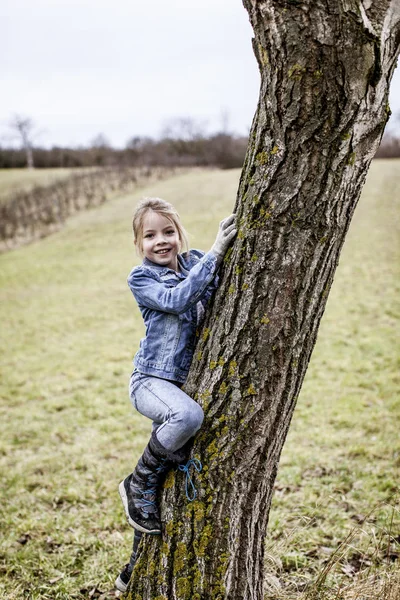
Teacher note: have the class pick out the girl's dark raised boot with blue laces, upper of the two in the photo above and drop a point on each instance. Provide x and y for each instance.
(139, 490)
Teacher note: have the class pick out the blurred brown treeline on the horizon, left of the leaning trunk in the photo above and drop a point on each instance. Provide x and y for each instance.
(221, 150)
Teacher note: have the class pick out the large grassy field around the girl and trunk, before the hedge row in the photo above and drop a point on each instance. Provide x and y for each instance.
(68, 433)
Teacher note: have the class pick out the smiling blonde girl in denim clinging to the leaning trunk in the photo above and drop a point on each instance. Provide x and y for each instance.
(172, 291)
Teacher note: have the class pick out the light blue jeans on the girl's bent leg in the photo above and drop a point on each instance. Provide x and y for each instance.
(176, 417)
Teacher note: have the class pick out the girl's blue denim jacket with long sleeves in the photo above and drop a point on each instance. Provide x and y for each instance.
(172, 304)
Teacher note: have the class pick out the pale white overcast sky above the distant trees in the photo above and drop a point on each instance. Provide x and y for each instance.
(127, 67)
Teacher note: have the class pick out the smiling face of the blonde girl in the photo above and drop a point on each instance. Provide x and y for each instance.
(161, 242)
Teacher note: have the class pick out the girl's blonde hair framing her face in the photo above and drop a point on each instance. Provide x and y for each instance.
(163, 208)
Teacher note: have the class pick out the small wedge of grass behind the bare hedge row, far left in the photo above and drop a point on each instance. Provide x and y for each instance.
(16, 180)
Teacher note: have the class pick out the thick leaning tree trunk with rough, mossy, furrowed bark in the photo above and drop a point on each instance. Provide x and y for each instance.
(325, 73)
